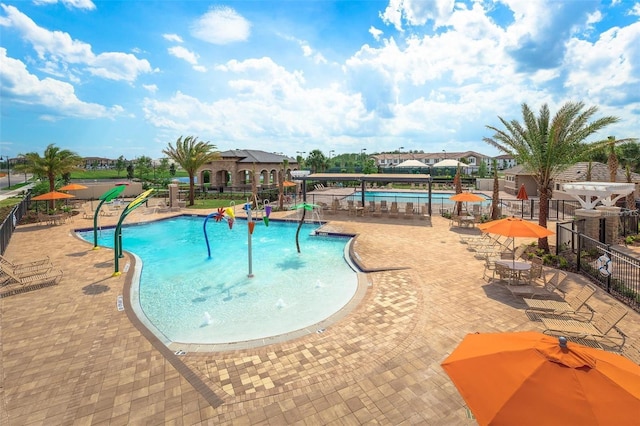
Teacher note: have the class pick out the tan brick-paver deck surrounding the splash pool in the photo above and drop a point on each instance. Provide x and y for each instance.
(70, 357)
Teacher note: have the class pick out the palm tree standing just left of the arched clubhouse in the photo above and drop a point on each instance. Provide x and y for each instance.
(191, 155)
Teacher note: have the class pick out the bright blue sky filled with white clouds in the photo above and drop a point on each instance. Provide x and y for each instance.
(111, 78)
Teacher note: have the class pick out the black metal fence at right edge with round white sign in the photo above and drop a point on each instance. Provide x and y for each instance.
(616, 272)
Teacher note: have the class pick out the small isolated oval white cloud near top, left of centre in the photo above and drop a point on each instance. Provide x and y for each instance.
(221, 25)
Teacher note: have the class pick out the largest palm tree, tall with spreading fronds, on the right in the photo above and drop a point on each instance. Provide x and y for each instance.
(545, 146)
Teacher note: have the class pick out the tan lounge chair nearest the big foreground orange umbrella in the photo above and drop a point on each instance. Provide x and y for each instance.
(596, 333)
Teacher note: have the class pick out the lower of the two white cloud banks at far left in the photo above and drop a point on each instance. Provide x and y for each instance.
(18, 85)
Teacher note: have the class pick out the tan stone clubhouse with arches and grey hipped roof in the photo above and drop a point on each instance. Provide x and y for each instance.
(236, 168)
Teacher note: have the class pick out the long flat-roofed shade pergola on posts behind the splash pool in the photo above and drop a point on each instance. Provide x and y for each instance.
(364, 178)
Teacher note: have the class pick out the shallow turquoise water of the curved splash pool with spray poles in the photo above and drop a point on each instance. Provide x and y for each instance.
(190, 298)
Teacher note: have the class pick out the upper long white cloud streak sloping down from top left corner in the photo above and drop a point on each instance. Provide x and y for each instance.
(58, 50)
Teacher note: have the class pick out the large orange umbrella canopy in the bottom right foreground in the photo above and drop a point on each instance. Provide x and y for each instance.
(529, 378)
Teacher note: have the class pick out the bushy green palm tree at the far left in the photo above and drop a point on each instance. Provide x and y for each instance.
(54, 162)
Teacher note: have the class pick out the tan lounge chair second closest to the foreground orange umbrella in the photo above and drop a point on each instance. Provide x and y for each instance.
(573, 304)
